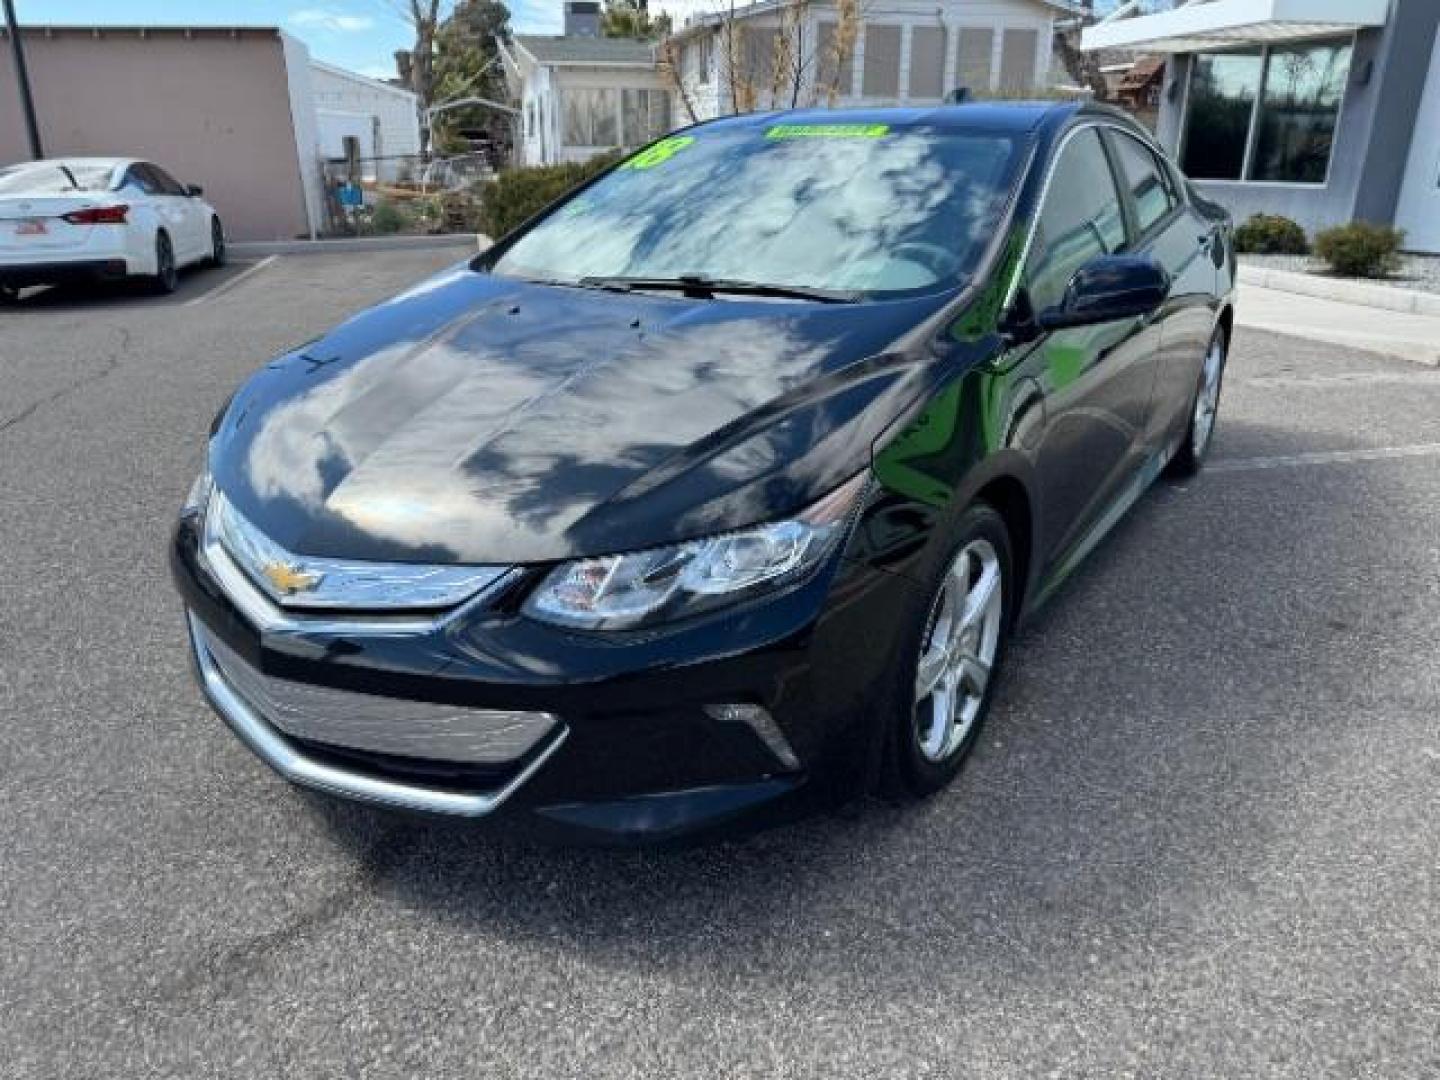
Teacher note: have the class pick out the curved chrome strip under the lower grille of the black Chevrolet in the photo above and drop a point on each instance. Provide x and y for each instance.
(284, 758)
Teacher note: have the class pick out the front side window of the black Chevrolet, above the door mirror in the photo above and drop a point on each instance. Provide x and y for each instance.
(1079, 221)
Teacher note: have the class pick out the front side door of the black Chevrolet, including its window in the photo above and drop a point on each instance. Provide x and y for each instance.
(1097, 381)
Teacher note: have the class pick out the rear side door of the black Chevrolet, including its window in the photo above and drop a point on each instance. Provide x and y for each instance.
(1187, 247)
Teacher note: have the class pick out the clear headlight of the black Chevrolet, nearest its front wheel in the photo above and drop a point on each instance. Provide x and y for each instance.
(623, 591)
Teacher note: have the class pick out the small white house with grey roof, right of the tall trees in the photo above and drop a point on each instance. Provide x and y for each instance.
(582, 94)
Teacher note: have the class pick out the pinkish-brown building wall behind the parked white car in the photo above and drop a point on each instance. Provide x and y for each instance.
(214, 110)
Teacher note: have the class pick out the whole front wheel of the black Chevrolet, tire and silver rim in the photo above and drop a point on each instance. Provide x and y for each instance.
(951, 659)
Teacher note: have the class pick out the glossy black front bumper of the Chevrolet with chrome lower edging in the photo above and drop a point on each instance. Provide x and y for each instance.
(649, 742)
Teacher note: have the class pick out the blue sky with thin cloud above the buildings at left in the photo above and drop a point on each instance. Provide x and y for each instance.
(361, 35)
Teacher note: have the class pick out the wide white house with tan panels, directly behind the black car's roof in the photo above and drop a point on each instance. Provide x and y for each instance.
(905, 53)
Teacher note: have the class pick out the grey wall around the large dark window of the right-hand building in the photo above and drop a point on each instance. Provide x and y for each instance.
(1373, 139)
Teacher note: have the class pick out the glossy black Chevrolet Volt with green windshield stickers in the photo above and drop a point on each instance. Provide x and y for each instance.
(715, 490)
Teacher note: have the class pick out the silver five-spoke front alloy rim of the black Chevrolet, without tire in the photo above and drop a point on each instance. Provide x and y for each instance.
(961, 643)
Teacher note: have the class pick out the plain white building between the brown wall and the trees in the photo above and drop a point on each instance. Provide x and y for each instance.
(384, 120)
